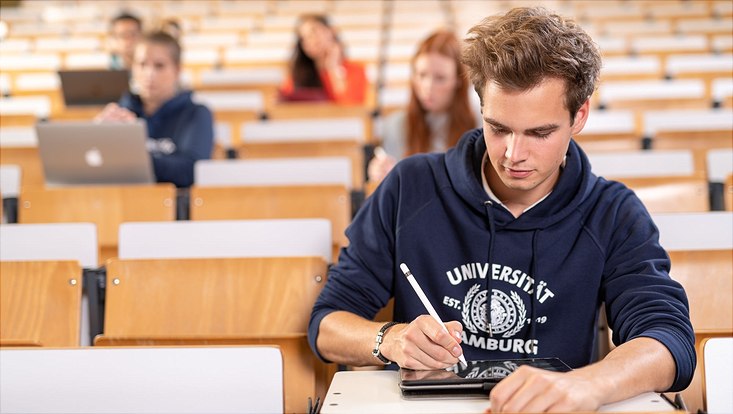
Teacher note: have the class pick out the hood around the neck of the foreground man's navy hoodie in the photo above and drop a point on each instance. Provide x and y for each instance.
(463, 164)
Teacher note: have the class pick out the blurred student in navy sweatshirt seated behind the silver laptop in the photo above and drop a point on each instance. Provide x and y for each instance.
(181, 131)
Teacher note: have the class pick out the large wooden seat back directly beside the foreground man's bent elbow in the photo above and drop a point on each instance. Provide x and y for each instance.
(220, 301)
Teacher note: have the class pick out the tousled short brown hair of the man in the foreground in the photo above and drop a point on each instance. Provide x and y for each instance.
(520, 49)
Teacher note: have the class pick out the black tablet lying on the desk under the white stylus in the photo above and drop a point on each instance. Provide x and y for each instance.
(478, 378)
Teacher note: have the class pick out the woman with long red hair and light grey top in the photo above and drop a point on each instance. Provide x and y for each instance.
(438, 112)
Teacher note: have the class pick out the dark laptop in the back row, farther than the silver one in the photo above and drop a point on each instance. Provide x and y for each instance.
(93, 87)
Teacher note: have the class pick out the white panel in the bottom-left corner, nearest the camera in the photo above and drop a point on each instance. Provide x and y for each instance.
(212, 379)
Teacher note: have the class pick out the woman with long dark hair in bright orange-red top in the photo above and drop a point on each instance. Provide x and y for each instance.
(319, 70)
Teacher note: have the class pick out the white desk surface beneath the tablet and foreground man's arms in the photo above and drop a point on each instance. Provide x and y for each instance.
(378, 392)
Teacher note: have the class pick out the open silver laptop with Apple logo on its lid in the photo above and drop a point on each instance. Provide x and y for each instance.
(83, 153)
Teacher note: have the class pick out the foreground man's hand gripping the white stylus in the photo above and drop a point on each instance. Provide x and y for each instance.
(423, 344)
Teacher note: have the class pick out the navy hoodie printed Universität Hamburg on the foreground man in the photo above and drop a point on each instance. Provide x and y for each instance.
(590, 241)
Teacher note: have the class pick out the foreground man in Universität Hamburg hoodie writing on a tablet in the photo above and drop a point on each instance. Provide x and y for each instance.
(515, 242)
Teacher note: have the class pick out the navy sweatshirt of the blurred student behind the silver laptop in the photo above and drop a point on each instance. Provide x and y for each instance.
(181, 133)
